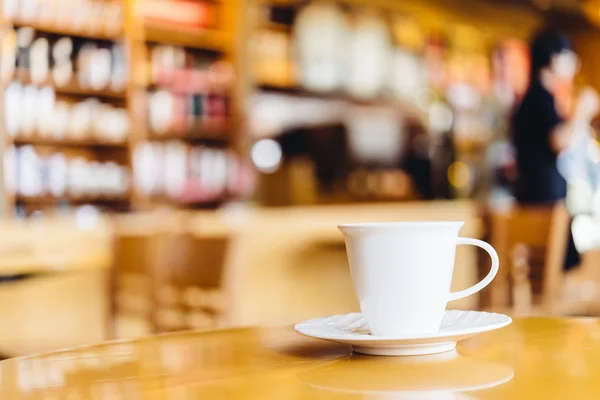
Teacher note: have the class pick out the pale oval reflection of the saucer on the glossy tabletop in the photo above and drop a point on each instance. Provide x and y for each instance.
(438, 376)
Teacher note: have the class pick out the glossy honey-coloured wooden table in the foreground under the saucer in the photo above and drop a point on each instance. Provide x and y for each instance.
(532, 358)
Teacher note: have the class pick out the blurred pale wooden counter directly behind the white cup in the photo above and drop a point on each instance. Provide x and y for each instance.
(294, 264)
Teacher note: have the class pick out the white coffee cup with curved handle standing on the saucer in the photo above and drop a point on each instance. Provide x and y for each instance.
(402, 273)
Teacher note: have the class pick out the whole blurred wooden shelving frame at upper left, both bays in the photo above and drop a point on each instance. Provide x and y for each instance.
(137, 35)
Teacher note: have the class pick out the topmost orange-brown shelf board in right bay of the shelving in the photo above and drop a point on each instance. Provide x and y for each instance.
(197, 38)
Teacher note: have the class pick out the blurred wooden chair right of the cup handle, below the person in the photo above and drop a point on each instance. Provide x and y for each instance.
(532, 243)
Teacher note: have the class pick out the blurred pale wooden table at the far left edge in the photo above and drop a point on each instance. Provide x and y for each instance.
(54, 283)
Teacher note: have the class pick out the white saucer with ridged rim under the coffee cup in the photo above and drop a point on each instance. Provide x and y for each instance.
(352, 329)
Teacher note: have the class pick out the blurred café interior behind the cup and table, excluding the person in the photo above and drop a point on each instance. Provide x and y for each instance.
(176, 164)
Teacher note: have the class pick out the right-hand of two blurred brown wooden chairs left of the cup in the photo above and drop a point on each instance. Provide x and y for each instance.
(194, 281)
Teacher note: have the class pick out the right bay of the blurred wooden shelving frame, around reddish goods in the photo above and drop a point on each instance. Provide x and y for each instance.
(220, 41)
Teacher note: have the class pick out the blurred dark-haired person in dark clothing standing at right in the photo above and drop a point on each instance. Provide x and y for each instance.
(540, 132)
